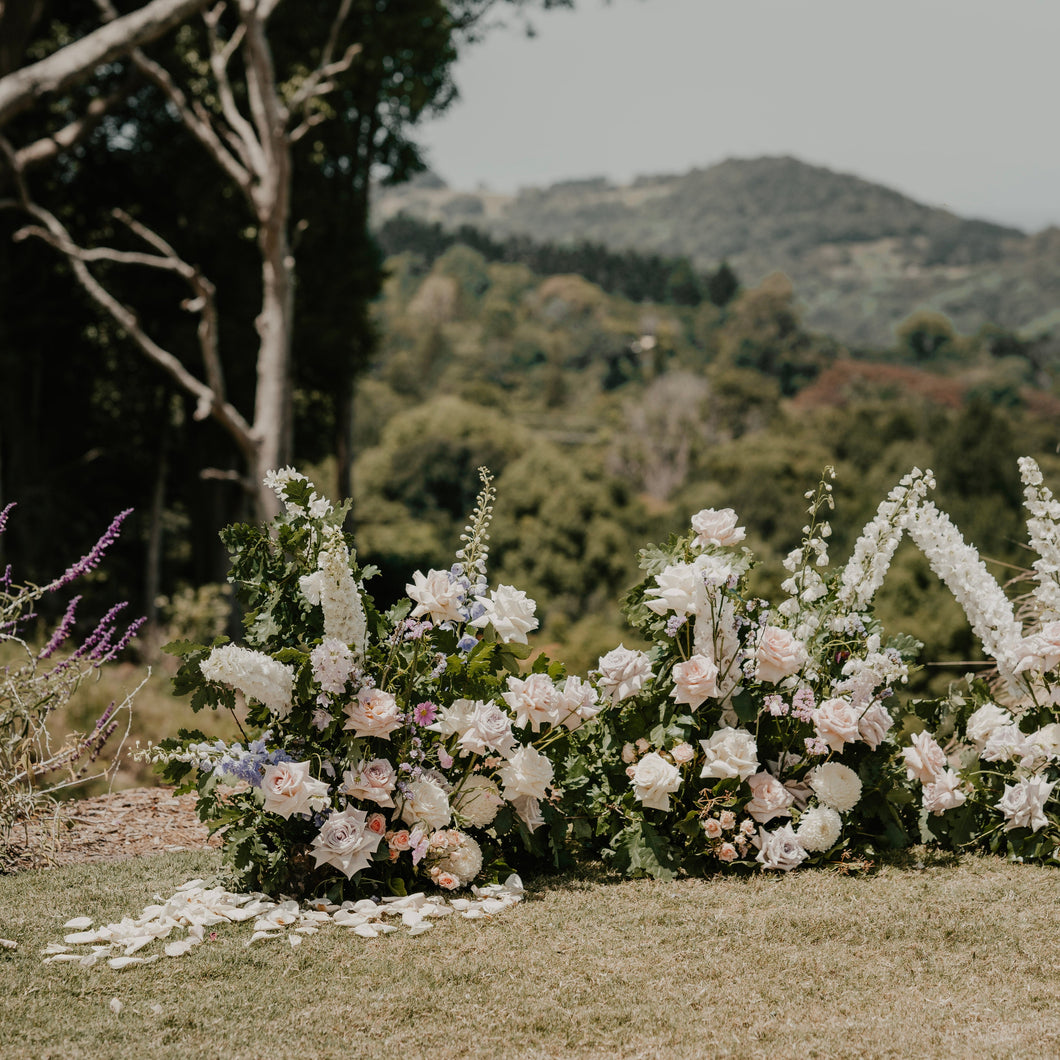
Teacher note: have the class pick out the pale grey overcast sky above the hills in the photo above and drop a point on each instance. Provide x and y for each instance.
(952, 102)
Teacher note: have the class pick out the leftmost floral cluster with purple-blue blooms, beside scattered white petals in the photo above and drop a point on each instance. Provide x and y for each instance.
(383, 752)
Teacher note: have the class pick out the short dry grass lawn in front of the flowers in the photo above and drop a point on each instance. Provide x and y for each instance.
(950, 960)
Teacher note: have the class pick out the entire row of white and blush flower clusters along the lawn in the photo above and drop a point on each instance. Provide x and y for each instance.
(427, 747)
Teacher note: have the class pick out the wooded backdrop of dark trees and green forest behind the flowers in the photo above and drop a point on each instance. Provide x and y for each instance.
(255, 316)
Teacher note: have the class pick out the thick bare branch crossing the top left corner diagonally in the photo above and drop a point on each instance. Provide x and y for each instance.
(22, 89)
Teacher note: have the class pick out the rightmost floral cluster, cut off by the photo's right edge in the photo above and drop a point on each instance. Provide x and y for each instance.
(988, 759)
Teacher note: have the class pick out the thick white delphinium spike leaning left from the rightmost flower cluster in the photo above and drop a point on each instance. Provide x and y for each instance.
(983, 600)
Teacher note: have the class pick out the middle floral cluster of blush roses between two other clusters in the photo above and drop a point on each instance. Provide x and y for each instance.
(753, 735)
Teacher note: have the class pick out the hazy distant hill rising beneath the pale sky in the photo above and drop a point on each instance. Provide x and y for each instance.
(861, 257)
